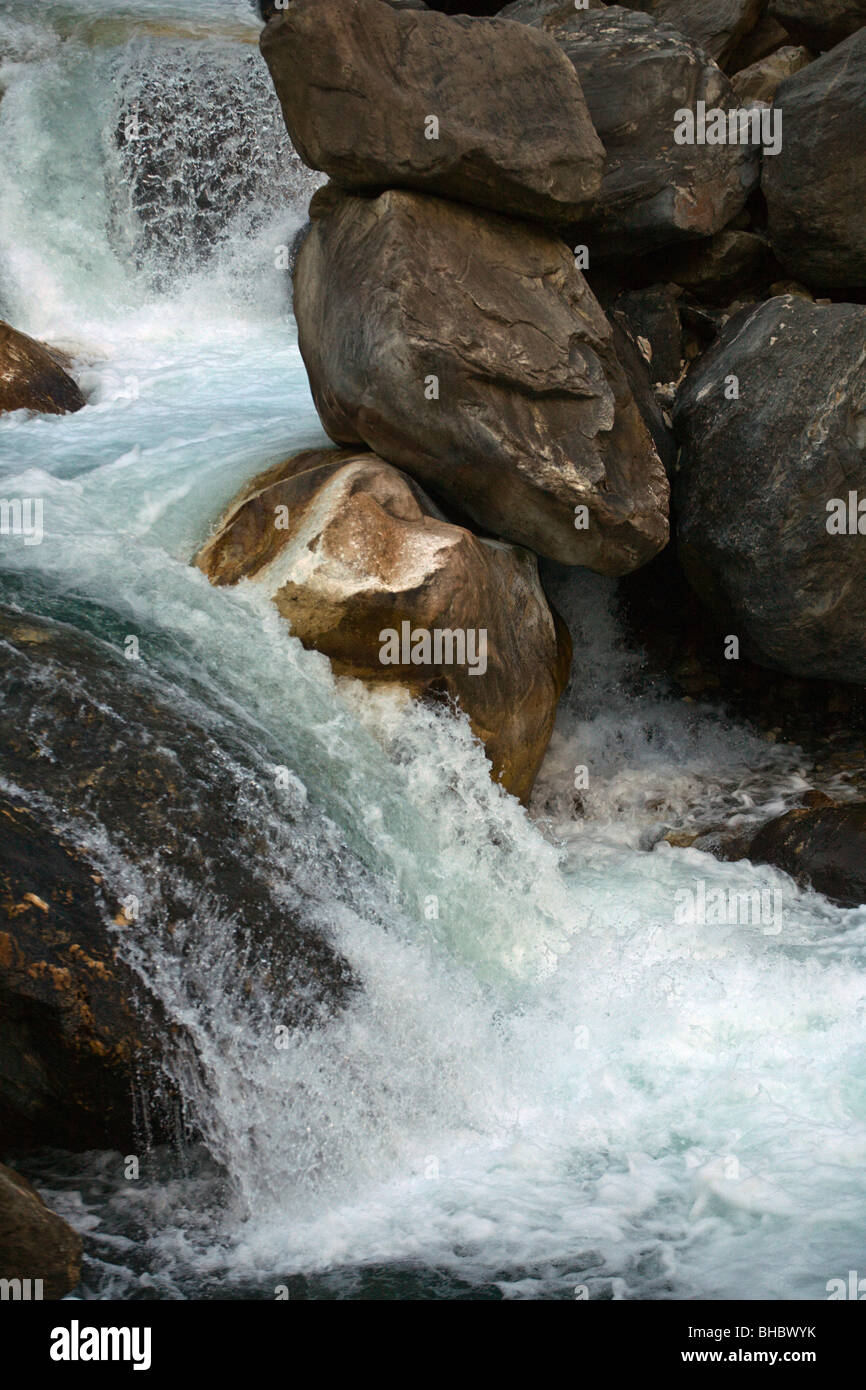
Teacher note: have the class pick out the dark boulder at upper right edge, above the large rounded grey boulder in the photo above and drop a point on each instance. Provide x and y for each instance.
(817, 187)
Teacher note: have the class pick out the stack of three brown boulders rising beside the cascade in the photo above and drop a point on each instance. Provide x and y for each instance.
(447, 327)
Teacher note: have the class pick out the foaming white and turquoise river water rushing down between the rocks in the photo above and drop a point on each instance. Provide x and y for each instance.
(548, 1088)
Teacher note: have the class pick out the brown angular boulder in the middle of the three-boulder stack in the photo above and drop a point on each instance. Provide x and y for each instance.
(477, 359)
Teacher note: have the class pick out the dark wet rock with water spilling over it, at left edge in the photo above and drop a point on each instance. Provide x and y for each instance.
(138, 789)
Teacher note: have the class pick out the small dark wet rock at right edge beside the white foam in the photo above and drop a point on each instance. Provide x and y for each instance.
(822, 847)
